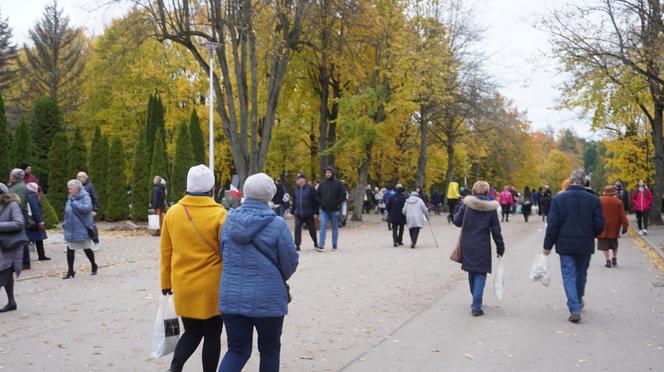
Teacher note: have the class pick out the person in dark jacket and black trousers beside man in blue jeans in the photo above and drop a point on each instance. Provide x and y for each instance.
(304, 208)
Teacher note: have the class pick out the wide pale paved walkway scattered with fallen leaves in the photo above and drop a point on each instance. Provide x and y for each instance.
(368, 307)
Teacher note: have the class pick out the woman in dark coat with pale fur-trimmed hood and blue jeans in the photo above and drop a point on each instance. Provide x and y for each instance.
(478, 219)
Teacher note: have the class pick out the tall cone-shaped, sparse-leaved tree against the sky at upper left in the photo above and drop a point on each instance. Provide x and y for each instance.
(53, 66)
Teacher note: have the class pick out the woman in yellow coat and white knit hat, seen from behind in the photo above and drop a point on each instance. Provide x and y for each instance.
(191, 268)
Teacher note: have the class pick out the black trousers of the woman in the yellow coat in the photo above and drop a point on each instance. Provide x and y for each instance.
(194, 331)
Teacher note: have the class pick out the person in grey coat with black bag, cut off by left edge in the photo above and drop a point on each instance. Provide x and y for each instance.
(11, 262)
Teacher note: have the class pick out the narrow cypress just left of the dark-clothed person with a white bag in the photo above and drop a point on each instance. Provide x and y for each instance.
(140, 180)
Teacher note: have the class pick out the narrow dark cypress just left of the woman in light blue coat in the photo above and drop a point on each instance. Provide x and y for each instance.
(58, 175)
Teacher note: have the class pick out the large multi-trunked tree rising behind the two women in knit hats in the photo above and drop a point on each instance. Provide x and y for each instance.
(247, 114)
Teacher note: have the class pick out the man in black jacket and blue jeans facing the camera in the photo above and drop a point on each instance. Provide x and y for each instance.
(331, 193)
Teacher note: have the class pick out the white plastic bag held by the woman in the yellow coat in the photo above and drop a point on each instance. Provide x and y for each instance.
(166, 328)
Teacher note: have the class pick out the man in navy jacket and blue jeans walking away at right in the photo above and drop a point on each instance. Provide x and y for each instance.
(575, 219)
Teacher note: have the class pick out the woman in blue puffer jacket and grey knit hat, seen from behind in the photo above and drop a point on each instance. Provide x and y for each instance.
(259, 255)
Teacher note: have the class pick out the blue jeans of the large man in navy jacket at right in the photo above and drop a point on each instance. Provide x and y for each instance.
(574, 270)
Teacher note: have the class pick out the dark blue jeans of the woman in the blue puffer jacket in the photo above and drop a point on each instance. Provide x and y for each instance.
(239, 332)
